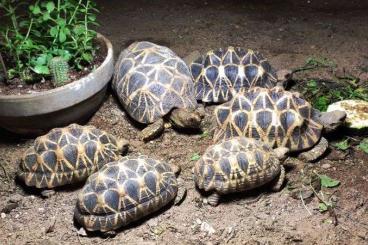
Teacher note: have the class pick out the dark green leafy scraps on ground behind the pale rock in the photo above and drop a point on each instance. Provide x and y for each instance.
(320, 93)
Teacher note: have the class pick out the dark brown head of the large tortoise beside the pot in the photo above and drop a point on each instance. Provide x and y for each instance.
(184, 118)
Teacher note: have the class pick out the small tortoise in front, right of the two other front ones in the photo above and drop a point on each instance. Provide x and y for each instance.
(238, 164)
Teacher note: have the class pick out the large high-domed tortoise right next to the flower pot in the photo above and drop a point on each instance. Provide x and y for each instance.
(153, 83)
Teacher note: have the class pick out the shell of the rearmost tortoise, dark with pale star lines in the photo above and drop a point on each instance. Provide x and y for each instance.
(221, 73)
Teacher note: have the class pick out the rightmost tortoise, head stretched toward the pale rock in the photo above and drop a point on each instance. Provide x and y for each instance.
(279, 118)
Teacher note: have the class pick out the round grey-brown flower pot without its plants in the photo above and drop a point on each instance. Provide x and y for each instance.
(74, 102)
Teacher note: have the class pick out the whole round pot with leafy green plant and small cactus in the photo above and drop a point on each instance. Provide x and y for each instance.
(54, 69)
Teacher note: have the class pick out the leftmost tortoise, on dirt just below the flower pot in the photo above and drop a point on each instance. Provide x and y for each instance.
(68, 155)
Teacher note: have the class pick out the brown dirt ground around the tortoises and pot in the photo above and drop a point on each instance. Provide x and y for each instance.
(287, 33)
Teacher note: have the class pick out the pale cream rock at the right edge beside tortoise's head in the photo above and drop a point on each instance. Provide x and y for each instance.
(356, 112)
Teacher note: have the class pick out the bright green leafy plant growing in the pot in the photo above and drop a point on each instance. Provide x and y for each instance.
(50, 29)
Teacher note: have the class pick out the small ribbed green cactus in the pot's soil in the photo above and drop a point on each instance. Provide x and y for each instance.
(59, 69)
